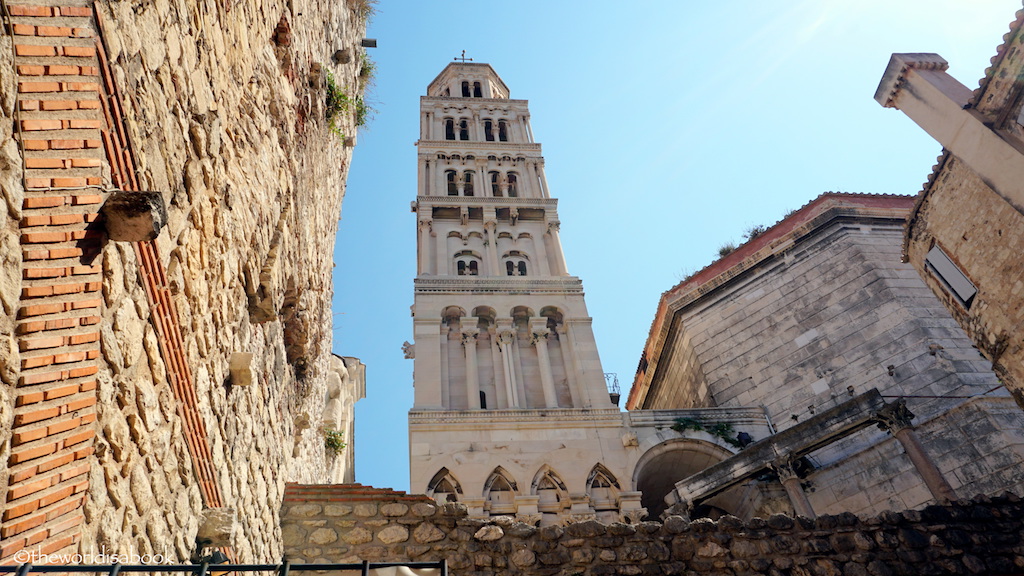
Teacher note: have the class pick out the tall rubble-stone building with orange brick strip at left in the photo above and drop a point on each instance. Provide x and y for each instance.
(166, 356)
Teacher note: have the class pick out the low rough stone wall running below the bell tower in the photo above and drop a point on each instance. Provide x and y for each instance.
(352, 524)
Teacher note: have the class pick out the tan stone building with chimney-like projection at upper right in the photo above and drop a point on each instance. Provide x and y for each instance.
(966, 233)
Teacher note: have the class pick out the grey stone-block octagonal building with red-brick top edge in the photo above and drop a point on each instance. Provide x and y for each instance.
(819, 323)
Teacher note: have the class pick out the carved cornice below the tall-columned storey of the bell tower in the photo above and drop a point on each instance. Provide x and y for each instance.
(425, 418)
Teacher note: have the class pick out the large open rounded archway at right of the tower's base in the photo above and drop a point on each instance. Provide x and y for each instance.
(663, 466)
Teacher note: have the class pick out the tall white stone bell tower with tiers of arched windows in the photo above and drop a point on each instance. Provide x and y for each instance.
(513, 416)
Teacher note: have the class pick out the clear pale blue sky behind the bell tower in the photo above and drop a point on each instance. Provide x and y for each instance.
(668, 128)
